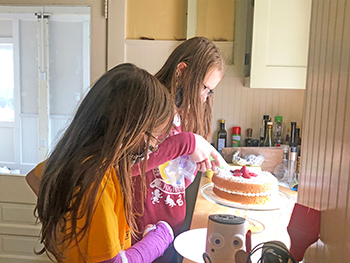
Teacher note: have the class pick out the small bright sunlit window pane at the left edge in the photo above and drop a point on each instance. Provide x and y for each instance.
(6, 83)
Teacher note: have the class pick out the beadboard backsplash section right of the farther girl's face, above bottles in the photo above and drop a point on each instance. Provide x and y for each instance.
(245, 107)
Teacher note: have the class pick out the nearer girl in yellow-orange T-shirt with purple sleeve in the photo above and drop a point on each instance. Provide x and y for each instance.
(85, 196)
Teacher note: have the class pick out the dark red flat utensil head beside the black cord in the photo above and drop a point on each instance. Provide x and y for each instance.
(303, 229)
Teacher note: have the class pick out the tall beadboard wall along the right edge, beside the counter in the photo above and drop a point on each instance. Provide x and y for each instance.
(325, 169)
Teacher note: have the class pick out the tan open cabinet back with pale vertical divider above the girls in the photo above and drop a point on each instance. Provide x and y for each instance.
(179, 19)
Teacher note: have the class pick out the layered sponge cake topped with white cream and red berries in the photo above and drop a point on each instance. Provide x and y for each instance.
(245, 186)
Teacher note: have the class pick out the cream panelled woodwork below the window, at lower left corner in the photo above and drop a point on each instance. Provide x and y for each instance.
(18, 231)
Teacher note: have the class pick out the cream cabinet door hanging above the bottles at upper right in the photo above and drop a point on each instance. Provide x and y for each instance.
(280, 44)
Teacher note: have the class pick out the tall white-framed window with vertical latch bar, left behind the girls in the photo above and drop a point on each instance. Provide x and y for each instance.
(44, 74)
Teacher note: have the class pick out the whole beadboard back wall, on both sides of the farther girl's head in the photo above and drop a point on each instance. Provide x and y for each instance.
(238, 105)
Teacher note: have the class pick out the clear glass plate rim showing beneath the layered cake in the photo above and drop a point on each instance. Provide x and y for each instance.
(276, 201)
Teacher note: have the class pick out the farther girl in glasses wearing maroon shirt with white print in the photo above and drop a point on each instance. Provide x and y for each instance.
(190, 74)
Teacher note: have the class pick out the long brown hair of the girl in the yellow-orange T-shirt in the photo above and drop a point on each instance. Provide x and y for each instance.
(122, 106)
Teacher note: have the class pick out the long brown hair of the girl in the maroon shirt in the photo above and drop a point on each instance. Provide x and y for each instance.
(201, 57)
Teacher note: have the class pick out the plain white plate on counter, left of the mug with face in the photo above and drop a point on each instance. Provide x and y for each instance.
(191, 244)
